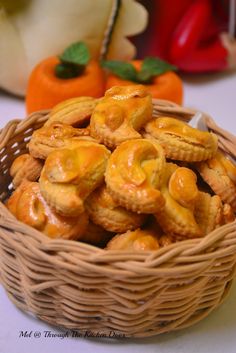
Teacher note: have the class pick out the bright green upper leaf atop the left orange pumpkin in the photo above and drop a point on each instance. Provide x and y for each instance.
(76, 53)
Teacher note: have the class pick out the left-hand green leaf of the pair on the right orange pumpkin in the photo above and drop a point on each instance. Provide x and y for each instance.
(124, 70)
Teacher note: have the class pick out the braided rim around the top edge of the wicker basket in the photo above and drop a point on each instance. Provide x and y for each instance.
(8, 221)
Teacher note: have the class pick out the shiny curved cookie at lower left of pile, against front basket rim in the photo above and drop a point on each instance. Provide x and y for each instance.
(28, 206)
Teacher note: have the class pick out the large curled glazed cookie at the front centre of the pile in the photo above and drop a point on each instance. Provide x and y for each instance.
(134, 175)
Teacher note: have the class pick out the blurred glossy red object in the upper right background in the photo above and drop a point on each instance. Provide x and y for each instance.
(187, 33)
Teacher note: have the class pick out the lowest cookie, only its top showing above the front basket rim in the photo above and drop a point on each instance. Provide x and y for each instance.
(134, 241)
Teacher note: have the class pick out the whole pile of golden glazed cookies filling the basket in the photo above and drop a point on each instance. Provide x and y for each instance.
(107, 173)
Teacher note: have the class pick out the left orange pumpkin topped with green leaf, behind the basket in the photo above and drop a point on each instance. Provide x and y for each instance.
(70, 75)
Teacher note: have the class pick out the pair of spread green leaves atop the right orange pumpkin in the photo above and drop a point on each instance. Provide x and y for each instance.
(150, 68)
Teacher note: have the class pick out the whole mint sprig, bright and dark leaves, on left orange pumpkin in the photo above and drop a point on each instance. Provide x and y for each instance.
(73, 61)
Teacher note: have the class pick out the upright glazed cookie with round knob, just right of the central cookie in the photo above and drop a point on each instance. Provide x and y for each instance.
(180, 192)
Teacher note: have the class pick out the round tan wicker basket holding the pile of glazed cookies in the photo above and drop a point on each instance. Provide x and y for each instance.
(78, 286)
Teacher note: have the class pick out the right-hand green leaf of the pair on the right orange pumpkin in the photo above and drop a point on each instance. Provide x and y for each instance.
(151, 67)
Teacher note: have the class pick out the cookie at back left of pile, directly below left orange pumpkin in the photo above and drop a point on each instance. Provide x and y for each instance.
(75, 111)
